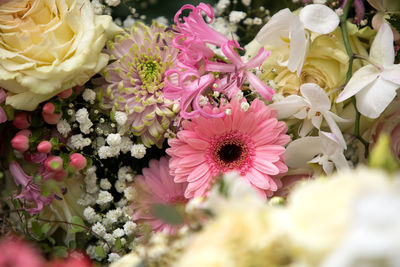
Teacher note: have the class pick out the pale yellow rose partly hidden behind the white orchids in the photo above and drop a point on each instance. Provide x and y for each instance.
(326, 62)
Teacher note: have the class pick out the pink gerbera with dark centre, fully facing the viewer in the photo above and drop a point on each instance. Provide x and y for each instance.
(250, 142)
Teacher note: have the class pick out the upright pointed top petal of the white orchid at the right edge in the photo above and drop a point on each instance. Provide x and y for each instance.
(382, 49)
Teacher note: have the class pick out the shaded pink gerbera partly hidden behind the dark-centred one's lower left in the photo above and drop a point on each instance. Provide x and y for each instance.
(154, 188)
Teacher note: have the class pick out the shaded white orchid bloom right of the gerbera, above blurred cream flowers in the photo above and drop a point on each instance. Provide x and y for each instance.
(325, 149)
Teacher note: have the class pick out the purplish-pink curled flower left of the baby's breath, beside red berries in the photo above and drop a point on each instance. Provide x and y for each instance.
(30, 191)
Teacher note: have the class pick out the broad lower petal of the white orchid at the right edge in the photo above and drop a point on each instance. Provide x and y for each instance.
(373, 100)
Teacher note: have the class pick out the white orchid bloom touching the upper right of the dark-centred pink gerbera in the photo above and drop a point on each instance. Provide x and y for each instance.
(313, 106)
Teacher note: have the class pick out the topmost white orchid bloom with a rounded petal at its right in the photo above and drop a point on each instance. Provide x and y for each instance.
(285, 28)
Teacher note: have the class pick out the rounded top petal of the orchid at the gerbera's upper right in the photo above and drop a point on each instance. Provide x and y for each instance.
(316, 96)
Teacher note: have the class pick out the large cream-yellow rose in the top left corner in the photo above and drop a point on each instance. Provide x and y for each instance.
(47, 46)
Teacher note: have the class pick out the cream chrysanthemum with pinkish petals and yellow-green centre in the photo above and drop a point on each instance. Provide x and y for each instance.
(133, 83)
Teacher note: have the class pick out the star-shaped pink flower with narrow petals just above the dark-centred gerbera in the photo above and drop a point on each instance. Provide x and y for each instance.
(240, 70)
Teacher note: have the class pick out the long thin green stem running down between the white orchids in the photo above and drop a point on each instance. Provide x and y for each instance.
(343, 26)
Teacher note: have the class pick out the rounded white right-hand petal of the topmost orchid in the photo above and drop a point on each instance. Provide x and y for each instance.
(319, 18)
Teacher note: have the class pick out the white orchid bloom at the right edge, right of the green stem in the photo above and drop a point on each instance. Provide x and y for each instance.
(375, 84)
